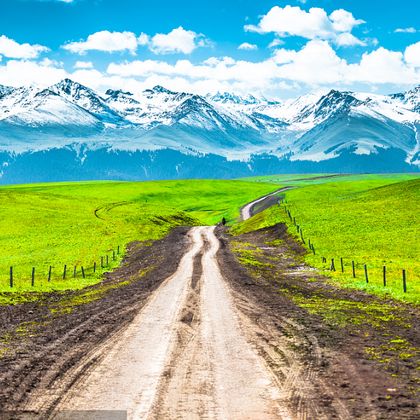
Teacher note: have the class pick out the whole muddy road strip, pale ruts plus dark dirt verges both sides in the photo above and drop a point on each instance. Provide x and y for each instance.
(203, 325)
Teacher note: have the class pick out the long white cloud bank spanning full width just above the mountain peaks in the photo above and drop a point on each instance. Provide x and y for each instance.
(314, 66)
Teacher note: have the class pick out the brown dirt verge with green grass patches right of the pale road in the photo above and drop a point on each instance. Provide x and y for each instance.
(331, 349)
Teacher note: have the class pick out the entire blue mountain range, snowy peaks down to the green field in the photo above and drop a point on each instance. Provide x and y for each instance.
(69, 131)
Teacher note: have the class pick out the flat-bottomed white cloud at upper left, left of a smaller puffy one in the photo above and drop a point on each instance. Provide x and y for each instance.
(105, 41)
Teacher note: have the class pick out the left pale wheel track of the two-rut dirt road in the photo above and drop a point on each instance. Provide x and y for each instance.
(128, 376)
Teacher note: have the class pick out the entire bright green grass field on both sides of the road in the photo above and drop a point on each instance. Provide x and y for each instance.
(370, 219)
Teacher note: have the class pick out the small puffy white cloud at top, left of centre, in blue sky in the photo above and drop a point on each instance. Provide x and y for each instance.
(178, 40)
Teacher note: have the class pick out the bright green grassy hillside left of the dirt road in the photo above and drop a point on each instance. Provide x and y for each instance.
(76, 223)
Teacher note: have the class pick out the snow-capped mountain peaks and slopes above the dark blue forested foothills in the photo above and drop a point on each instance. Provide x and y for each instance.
(312, 128)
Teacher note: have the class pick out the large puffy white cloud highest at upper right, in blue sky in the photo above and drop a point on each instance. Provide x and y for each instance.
(314, 24)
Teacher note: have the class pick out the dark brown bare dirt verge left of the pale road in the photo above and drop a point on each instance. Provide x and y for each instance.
(43, 341)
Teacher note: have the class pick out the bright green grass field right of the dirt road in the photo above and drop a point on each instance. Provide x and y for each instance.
(371, 219)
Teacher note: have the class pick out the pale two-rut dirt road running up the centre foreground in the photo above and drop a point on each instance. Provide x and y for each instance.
(184, 355)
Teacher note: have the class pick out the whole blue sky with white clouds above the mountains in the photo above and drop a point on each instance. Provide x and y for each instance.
(276, 48)
